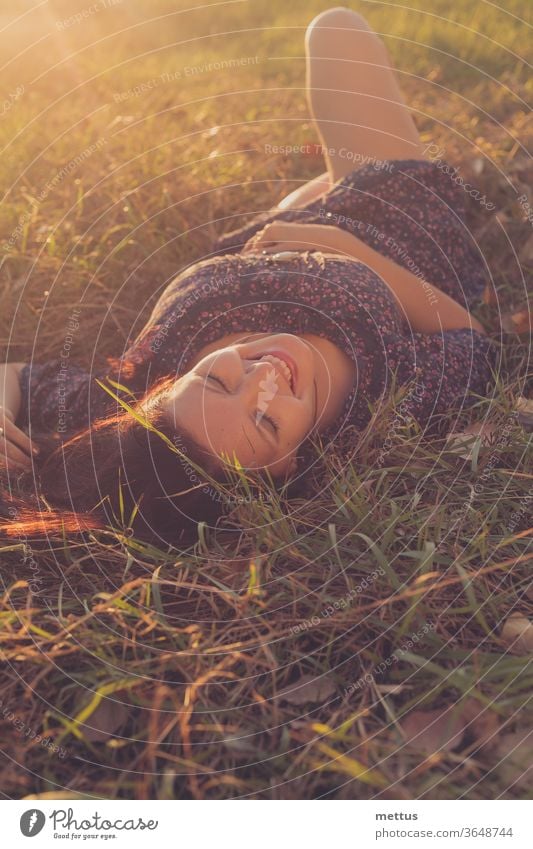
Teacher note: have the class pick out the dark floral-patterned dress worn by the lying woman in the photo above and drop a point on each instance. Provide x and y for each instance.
(410, 211)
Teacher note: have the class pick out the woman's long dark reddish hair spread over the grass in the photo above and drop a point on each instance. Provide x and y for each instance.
(119, 472)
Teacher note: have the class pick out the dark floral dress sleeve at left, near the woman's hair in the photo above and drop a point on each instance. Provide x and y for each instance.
(55, 397)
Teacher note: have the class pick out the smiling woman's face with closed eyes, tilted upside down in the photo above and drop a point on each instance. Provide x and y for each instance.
(256, 400)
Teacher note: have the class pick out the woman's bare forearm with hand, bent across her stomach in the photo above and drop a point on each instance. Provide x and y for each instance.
(426, 308)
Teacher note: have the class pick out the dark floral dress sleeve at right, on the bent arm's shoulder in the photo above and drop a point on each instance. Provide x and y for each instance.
(444, 372)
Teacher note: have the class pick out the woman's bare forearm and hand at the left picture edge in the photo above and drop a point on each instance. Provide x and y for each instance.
(15, 446)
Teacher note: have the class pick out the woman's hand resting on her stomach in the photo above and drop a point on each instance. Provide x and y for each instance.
(285, 236)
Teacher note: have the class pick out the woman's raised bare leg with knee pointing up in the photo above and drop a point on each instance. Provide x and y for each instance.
(354, 95)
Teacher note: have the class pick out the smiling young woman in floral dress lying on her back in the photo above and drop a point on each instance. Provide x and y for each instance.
(299, 324)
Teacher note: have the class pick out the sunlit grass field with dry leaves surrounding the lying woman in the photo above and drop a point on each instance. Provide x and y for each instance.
(352, 647)
